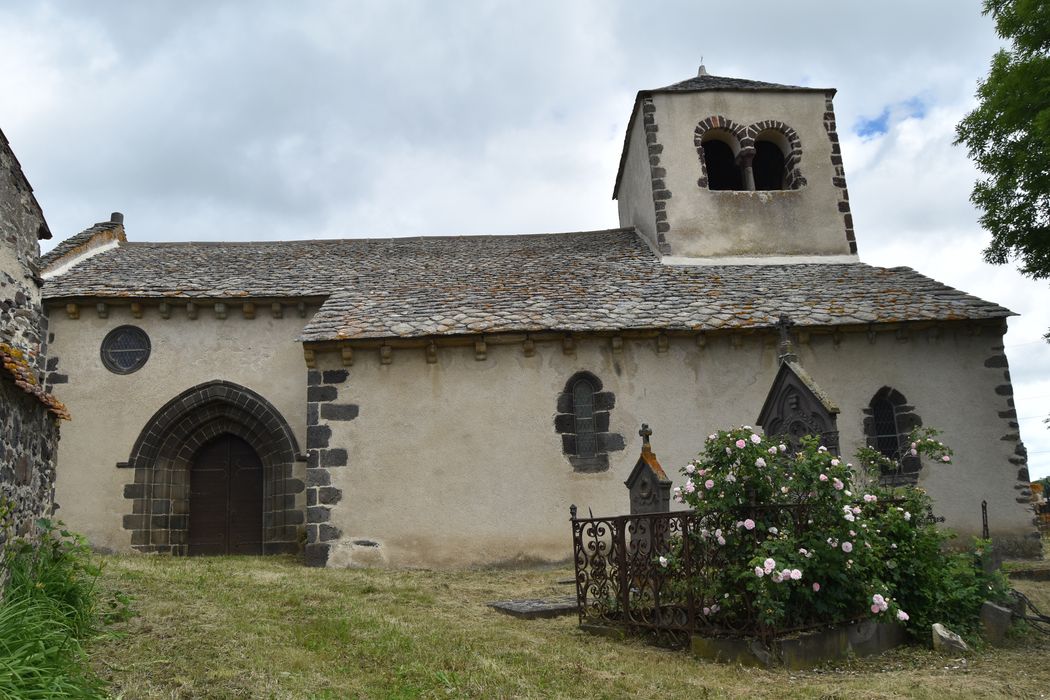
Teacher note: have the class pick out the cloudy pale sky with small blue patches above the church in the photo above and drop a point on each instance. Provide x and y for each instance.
(212, 120)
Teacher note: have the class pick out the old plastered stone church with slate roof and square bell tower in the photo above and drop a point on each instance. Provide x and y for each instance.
(442, 401)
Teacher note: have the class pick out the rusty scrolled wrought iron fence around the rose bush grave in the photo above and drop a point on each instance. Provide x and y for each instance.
(622, 584)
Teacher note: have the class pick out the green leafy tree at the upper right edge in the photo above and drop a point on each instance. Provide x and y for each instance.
(1009, 137)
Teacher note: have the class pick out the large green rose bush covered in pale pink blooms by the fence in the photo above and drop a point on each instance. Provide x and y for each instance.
(808, 540)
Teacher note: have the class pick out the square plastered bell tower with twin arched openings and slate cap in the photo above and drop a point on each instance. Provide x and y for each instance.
(728, 172)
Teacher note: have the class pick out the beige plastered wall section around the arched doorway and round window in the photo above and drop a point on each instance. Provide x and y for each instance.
(110, 411)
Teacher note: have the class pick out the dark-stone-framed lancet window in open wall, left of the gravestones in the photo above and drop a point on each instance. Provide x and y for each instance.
(583, 422)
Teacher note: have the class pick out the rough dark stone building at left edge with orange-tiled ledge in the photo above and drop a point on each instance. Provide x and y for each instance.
(29, 415)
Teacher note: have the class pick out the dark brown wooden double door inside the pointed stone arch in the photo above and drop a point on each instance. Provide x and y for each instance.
(226, 499)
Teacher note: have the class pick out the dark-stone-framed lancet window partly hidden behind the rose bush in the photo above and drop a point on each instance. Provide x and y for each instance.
(889, 421)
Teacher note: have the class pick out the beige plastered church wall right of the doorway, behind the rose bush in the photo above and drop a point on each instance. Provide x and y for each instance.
(458, 462)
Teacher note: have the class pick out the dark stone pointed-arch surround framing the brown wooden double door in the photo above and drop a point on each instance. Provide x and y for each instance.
(163, 455)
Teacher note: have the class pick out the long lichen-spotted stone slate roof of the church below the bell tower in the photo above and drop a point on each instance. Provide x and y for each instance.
(596, 281)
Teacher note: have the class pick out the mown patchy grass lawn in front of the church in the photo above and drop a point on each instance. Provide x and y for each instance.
(269, 628)
